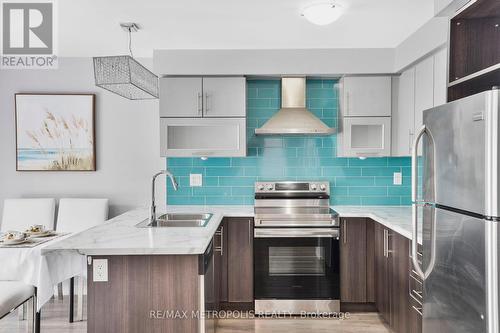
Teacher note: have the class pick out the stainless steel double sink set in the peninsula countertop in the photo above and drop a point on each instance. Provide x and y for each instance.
(177, 220)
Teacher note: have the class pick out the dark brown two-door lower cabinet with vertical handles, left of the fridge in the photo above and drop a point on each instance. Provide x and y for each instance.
(392, 280)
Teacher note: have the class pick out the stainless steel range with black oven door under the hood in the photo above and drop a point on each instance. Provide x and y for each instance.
(296, 248)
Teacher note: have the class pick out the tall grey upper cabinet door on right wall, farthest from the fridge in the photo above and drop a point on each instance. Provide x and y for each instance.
(403, 116)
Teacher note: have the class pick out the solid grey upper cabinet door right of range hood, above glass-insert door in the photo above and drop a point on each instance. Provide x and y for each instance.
(366, 96)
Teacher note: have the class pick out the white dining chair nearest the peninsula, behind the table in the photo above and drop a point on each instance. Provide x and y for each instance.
(76, 215)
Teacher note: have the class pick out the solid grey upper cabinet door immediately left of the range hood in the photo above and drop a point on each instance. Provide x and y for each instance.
(224, 97)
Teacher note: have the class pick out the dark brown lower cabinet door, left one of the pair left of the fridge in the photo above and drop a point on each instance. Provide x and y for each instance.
(382, 283)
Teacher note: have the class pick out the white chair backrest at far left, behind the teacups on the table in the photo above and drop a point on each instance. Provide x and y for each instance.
(19, 214)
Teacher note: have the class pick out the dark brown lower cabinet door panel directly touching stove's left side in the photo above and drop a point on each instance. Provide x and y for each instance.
(240, 260)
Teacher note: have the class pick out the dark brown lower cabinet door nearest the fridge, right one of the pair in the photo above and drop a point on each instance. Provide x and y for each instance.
(400, 264)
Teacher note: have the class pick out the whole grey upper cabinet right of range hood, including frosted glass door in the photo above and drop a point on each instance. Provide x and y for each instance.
(365, 110)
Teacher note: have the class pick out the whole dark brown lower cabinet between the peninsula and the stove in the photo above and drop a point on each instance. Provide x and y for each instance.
(236, 252)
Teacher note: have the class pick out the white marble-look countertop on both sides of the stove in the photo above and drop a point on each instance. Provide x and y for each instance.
(120, 236)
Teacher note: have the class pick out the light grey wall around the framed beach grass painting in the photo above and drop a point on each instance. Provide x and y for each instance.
(127, 138)
